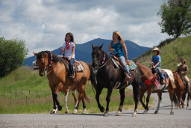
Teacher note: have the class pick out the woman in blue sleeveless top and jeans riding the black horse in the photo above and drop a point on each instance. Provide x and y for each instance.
(119, 49)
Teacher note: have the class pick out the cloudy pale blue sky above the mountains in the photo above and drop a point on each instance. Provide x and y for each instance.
(43, 23)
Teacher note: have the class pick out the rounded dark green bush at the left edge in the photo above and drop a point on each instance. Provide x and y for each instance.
(12, 53)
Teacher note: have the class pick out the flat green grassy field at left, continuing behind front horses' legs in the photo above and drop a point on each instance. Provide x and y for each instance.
(24, 91)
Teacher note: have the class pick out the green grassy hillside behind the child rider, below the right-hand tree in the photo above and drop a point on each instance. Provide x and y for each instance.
(170, 53)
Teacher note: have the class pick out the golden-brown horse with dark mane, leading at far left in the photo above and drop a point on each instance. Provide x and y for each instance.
(57, 73)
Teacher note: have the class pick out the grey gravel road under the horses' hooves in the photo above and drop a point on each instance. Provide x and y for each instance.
(181, 119)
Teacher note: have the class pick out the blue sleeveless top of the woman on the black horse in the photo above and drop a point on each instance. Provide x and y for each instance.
(118, 49)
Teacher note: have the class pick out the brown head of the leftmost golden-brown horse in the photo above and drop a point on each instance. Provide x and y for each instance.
(42, 61)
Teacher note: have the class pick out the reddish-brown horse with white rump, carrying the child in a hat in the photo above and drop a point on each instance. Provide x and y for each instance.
(149, 81)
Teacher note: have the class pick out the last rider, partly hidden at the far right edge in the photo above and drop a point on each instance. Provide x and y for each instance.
(182, 70)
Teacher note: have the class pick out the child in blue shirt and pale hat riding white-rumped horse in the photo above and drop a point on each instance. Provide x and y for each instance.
(156, 61)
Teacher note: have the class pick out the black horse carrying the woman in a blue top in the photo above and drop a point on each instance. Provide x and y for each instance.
(106, 75)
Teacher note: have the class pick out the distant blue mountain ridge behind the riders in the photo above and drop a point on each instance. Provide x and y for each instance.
(83, 51)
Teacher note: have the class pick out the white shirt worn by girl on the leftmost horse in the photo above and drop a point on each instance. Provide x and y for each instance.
(68, 52)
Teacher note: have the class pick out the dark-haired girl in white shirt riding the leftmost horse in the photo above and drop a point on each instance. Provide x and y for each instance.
(68, 51)
